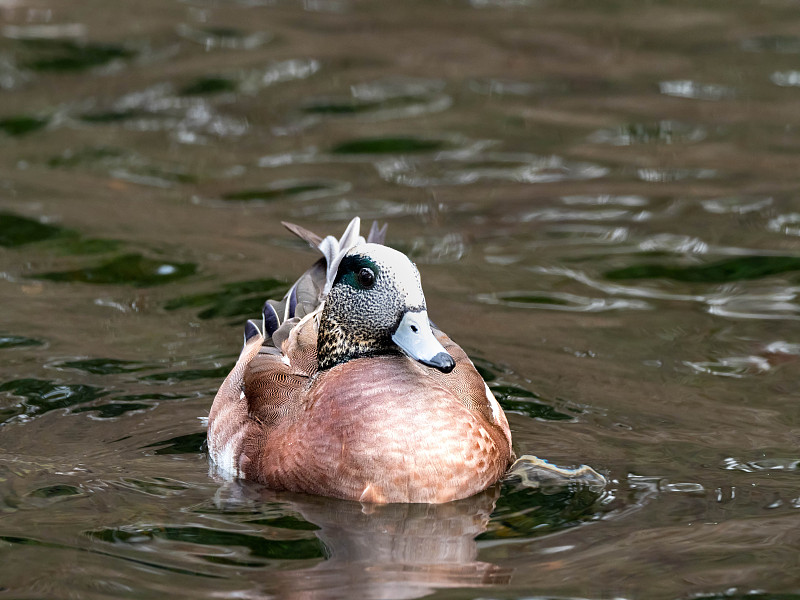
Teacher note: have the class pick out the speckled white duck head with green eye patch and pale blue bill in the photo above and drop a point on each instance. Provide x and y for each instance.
(376, 306)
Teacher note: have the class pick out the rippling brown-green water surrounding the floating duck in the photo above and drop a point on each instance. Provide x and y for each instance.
(601, 197)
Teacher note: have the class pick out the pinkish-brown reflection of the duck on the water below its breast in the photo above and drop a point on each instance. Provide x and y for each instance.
(396, 551)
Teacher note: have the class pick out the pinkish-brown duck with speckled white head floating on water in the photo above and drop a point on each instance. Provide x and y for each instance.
(345, 388)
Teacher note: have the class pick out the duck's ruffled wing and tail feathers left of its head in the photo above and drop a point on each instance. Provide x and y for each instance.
(279, 357)
